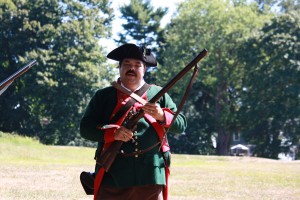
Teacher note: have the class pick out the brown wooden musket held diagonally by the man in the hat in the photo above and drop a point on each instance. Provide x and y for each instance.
(107, 158)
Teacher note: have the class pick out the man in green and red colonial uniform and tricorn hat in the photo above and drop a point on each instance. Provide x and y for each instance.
(141, 168)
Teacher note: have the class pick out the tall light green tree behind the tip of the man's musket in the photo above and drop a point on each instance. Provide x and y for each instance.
(219, 26)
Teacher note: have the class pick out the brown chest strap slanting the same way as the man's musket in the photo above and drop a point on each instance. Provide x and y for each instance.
(129, 104)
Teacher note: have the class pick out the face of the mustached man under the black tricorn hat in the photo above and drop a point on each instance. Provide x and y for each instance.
(132, 72)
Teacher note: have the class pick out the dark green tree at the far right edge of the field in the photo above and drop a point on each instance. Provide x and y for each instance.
(271, 87)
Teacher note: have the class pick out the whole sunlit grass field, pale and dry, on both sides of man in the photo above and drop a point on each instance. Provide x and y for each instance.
(32, 171)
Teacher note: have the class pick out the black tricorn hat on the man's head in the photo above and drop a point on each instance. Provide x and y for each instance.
(132, 51)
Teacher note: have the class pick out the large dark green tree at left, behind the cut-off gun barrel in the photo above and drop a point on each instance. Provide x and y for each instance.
(48, 101)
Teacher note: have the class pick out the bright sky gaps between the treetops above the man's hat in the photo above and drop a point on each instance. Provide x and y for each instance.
(117, 23)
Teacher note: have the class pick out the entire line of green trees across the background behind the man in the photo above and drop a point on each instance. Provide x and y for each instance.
(249, 83)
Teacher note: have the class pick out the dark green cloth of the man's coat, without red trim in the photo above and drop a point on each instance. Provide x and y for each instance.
(136, 170)
